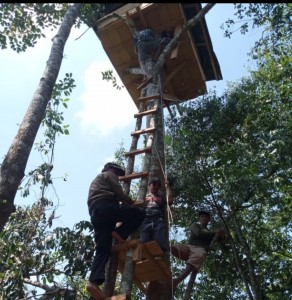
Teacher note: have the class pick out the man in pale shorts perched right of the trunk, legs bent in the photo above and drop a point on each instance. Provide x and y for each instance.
(195, 251)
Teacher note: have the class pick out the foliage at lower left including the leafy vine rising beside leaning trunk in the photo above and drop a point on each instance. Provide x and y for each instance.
(42, 257)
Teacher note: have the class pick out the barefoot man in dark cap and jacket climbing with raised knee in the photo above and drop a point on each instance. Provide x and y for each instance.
(109, 205)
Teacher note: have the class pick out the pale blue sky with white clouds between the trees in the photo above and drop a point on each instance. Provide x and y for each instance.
(100, 117)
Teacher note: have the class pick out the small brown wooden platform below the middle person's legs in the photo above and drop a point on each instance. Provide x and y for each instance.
(149, 265)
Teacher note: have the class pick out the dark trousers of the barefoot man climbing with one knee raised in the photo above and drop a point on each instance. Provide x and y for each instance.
(104, 218)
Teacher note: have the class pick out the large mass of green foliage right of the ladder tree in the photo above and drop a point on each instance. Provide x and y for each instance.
(232, 155)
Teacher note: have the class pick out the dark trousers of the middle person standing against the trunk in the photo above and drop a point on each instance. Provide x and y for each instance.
(154, 229)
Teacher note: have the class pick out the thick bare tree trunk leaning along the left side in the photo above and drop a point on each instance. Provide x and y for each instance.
(13, 167)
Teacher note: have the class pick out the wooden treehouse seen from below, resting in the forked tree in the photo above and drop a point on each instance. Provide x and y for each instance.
(188, 67)
